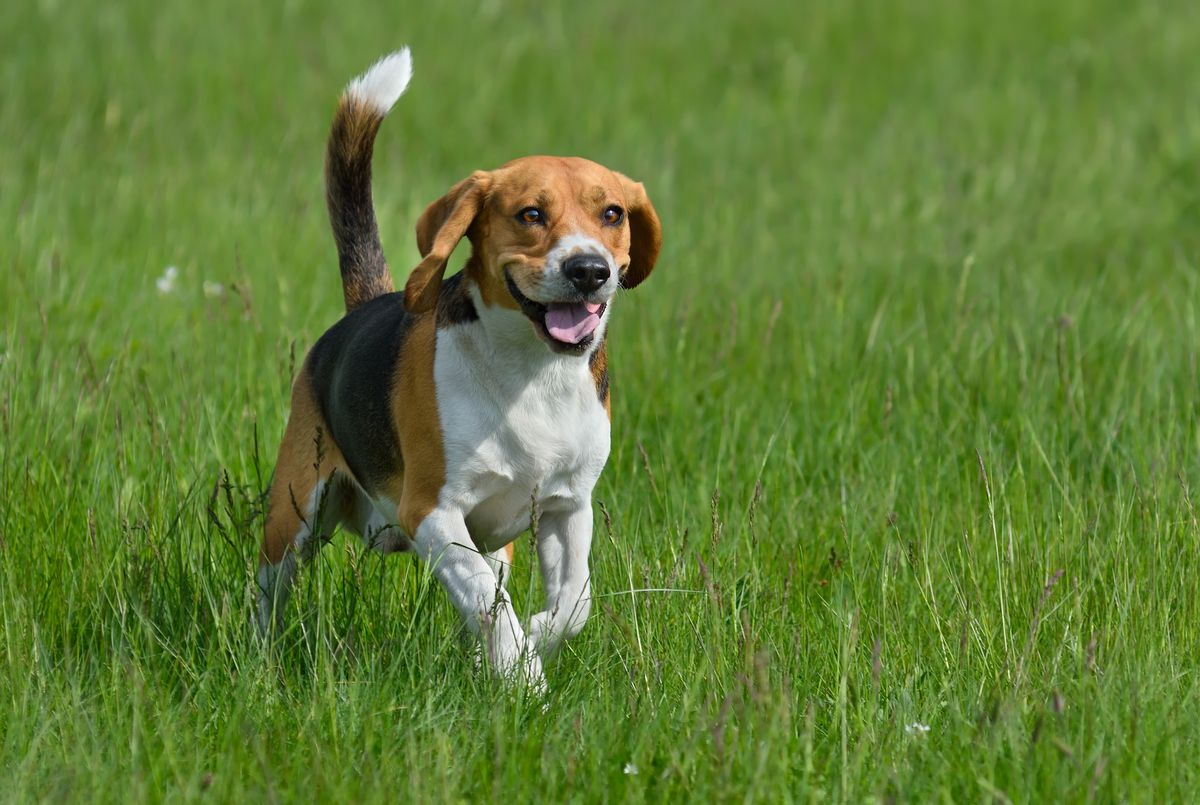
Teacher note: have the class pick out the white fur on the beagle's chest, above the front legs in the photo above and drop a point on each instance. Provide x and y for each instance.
(518, 423)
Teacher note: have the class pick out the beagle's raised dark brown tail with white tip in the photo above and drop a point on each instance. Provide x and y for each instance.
(361, 111)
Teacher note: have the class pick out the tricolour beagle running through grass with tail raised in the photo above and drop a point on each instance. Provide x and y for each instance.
(434, 419)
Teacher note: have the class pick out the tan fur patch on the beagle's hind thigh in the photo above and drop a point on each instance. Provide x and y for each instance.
(308, 455)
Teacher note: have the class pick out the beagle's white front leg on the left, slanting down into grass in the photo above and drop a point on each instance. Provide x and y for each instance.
(443, 542)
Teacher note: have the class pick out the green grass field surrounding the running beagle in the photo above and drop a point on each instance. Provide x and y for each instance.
(908, 420)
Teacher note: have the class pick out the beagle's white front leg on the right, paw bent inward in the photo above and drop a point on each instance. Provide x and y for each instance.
(565, 540)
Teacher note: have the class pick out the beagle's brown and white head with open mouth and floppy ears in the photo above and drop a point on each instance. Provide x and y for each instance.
(553, 238)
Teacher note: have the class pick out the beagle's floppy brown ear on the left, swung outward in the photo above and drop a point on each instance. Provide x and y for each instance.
(439, 231)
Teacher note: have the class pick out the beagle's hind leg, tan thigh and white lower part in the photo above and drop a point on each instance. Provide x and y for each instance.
(307, 501)
